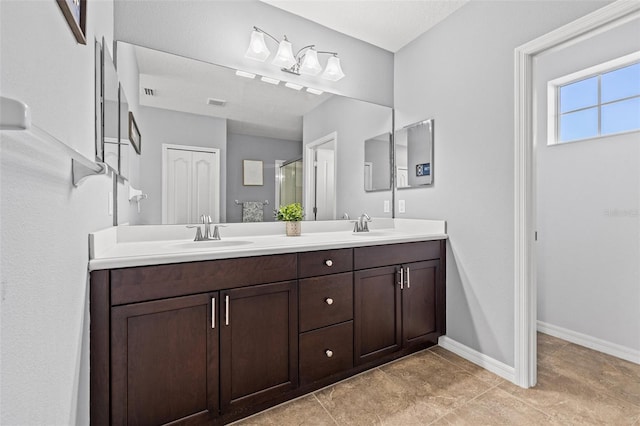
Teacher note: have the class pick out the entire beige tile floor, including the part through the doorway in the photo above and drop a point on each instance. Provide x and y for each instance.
(576, 386)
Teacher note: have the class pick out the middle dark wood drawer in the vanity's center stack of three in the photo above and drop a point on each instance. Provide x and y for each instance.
(325, 300)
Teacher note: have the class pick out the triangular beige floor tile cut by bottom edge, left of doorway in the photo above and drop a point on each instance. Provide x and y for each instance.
(496, 407)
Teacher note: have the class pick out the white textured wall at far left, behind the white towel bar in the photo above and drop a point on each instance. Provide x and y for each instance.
(44, 220)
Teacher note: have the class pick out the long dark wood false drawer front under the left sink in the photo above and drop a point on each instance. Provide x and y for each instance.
(143, 283)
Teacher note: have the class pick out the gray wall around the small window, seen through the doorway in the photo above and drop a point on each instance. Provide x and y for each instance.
(588, 212)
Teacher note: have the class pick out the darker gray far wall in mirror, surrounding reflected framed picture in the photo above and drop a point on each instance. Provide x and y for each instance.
(268, 150)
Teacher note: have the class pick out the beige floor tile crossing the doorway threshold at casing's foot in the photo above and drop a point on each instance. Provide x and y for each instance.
(573, 401)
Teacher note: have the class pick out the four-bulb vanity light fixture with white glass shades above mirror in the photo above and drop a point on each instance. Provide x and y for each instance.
(305, 61)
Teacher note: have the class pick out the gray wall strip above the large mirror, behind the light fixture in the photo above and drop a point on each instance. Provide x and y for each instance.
(219, 32)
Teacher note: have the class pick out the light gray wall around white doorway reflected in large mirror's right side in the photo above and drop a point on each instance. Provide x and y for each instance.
(354, 121)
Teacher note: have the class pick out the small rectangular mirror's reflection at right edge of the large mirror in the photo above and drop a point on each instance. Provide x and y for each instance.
(377, 163)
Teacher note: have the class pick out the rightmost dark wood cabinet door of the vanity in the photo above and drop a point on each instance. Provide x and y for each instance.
(419, 303)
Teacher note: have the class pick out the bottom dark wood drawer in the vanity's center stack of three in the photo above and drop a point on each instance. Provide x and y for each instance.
(325, 352)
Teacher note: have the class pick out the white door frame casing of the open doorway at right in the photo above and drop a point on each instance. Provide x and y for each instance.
(525, 292)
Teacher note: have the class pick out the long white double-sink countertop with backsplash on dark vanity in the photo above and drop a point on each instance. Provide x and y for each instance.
(129, 246)
